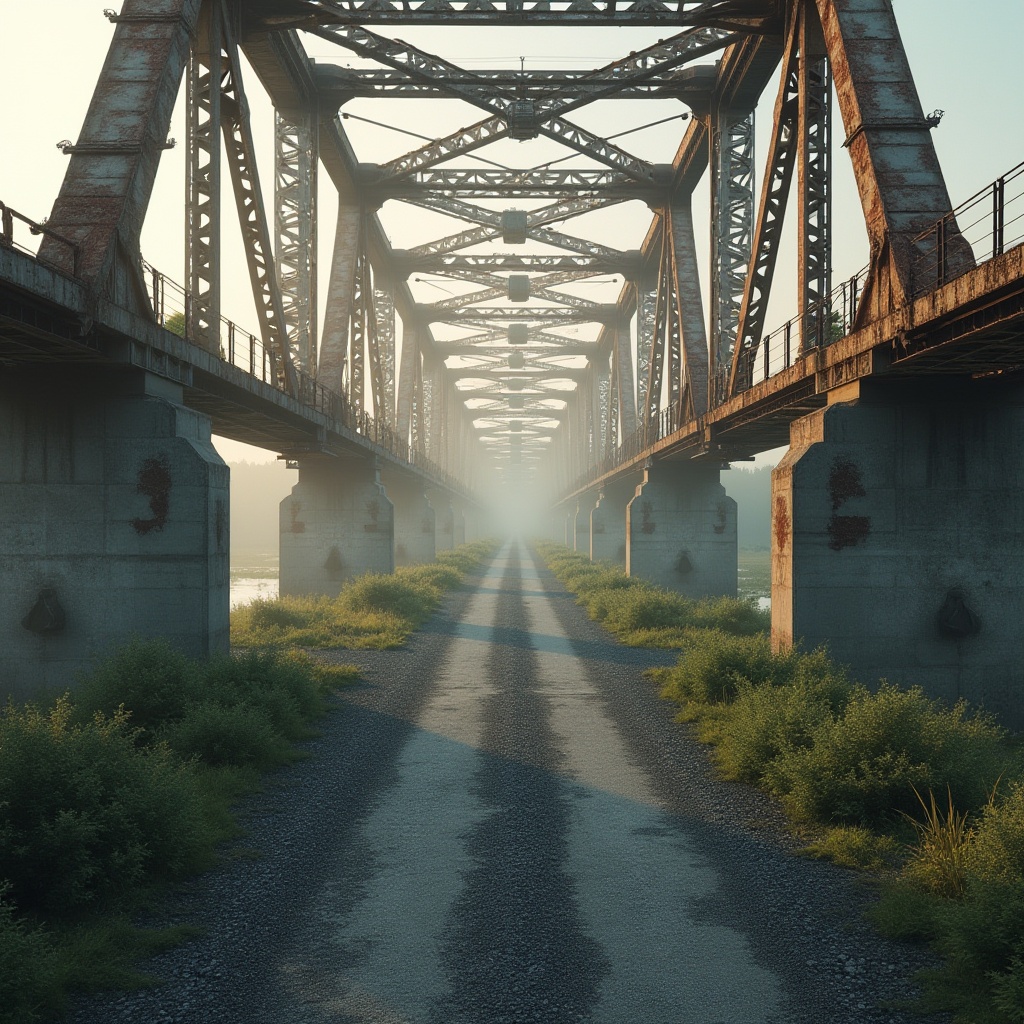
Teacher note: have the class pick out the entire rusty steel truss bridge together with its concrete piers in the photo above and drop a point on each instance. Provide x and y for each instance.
(579, 369)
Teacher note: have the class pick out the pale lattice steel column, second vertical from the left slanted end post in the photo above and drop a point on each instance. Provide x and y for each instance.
(296, 163)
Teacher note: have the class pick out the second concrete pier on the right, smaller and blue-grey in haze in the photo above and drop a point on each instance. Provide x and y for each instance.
(681, 531)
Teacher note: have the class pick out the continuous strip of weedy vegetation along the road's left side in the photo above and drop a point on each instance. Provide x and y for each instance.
(126, 784)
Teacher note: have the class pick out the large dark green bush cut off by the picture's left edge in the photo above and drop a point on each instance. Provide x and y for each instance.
(87, 817)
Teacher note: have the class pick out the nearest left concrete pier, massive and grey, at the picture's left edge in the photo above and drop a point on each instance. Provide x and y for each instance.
(114, 522)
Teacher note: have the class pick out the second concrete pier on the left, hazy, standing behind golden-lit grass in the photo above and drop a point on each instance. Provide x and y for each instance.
(336, 525)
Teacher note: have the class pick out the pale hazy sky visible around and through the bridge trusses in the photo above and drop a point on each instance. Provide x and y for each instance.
(966, 59)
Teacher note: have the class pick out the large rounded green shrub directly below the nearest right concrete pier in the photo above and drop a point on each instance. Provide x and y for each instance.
(863, 767)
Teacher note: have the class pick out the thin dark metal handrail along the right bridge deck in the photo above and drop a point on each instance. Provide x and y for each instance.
(998, 225)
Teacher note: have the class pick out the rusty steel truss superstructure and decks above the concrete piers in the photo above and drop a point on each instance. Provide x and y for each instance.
(518, 372)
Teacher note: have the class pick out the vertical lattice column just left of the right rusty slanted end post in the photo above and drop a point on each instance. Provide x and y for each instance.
(815, 184)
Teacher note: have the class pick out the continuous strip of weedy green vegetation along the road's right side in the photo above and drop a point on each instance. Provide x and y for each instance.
(930, 798)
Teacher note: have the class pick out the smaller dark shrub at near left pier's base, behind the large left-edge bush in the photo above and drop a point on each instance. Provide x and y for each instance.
(149, 677)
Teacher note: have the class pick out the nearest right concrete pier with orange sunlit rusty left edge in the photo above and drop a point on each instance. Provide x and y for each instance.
(899, 539)
